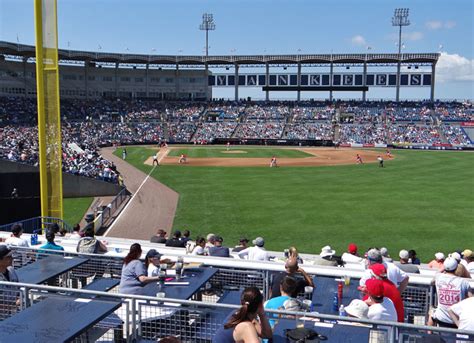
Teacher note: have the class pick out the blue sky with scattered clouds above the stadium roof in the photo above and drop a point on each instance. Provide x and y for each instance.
(266, 27)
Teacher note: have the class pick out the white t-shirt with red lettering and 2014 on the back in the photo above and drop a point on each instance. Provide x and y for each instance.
(451, 289)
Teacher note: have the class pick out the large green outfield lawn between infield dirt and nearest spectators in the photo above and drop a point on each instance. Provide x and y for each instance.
(422, 200)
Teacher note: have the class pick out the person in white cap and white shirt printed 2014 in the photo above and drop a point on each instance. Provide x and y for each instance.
(450, 290)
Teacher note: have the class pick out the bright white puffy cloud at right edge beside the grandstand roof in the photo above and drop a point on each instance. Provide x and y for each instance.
(453, 67)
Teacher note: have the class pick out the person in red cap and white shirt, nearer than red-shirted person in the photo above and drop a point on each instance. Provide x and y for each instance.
(380, 307)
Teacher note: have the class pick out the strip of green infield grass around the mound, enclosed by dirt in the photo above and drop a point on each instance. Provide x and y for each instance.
(221, 151)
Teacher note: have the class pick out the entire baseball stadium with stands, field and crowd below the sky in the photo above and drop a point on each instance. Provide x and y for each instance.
(121, 170)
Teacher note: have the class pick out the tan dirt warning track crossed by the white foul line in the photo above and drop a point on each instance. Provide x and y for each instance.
(152, 206)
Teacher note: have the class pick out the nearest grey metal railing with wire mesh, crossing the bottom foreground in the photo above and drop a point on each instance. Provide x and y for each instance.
(194, 321)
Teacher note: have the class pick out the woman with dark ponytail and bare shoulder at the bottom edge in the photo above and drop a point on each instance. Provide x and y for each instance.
(249, 323)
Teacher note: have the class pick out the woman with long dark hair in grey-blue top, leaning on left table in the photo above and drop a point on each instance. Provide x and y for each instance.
(134, 275)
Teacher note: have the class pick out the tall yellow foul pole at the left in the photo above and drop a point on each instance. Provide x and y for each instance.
(49, 119)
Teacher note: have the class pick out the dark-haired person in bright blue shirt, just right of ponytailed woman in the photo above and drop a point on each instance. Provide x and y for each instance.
(287, 300)
